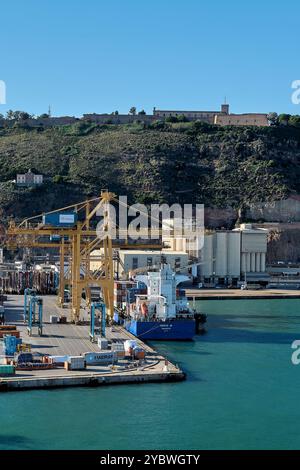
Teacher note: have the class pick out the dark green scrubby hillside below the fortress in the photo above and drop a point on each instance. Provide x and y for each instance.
(162, 162)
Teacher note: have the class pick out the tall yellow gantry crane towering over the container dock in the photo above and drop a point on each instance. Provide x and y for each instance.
(75, 244)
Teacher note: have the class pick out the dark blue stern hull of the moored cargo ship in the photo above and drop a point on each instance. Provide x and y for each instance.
(162, 330)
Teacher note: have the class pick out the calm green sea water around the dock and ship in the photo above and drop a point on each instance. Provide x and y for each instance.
(242, 392)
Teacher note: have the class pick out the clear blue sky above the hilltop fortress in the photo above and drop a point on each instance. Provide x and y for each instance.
(84, 56)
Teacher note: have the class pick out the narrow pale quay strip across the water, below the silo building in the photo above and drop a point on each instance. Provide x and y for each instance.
(239, 294)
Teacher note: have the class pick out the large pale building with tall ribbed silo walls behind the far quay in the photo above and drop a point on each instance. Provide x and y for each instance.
(226, 256)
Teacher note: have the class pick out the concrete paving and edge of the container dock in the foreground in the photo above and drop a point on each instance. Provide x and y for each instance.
(69, 339)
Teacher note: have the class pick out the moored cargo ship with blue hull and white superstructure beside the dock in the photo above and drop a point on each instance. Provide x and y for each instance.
(157, 310)
